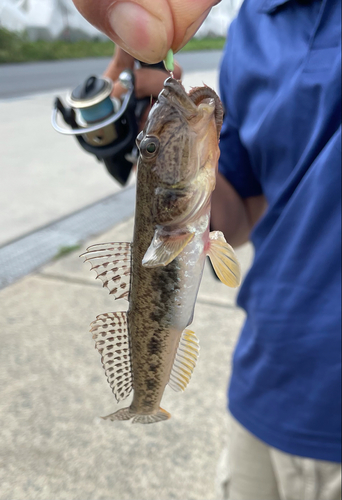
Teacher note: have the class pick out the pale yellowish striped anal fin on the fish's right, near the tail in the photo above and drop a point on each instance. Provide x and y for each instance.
(185, 361)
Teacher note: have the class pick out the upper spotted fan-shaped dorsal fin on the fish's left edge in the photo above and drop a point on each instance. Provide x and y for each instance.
(112, 264)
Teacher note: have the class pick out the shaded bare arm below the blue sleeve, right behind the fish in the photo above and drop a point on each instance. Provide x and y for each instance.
(233, 215)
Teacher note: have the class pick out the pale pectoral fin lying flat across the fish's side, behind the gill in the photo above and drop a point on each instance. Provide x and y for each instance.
(164, 248)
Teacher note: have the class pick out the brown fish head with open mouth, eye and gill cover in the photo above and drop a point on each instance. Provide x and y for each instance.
(179, 149)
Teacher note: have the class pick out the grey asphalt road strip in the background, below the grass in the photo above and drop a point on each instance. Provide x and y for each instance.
(18, 80)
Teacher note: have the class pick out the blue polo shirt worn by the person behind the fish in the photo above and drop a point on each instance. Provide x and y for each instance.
(281, 88)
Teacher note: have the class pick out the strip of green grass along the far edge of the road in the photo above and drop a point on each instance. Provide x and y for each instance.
(16, 48)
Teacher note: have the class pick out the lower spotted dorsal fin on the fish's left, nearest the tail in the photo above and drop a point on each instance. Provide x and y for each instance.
(111, 340)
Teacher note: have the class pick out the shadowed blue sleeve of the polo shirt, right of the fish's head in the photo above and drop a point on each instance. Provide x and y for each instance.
(234, 161)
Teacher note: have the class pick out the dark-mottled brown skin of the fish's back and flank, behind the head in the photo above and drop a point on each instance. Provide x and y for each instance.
(153, 300)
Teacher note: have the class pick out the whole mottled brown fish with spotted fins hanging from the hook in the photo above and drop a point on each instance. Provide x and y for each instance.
(160, 271)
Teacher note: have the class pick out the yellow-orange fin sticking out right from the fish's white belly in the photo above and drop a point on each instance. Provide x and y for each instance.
(224, 260)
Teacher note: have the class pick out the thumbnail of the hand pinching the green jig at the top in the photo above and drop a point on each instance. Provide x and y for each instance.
(143, 34)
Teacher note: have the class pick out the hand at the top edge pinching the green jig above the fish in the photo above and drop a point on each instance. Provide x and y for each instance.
(147, 29)
